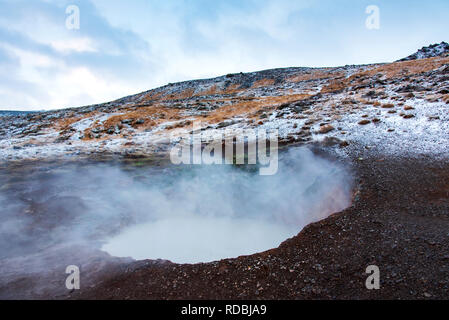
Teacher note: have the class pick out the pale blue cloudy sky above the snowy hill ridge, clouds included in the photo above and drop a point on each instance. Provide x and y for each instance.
(126, 47)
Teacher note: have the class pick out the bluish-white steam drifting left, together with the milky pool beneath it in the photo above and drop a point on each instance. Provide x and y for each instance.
(185, 214)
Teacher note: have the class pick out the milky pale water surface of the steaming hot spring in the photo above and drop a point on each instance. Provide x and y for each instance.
(198, 239)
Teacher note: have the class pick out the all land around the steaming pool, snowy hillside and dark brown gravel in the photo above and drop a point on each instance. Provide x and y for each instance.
(388, 122)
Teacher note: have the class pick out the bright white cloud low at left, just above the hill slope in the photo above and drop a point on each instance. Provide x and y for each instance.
(62, 85)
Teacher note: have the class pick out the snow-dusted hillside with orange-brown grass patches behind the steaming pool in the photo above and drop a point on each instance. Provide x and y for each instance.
(401, 104)
